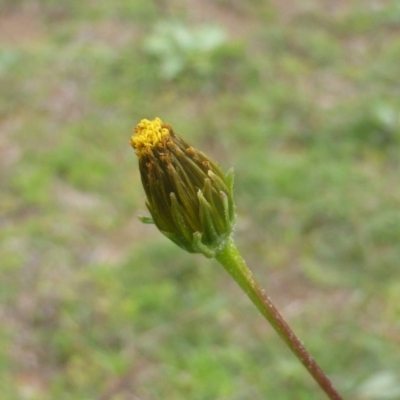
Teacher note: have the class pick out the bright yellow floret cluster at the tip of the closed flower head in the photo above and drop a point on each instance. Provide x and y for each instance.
(148, 134)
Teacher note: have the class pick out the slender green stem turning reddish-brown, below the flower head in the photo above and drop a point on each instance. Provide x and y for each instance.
(232, 261)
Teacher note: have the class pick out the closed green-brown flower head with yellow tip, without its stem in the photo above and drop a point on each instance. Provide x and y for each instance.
(189, 198)
